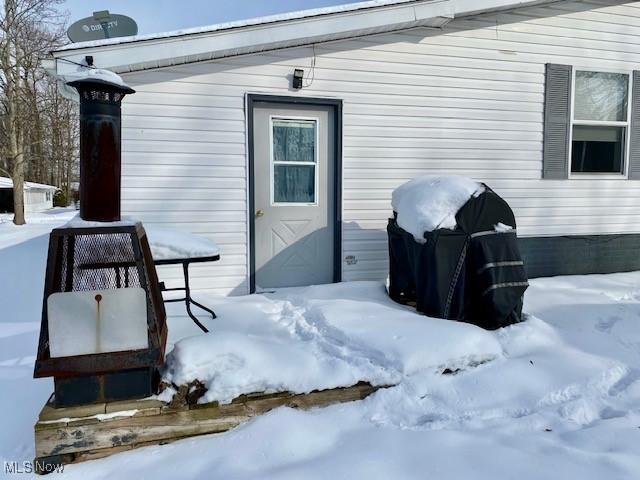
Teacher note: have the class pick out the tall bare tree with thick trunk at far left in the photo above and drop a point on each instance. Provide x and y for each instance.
(28, 30)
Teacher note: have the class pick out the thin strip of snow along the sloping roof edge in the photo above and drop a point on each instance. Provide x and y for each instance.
(299, 14)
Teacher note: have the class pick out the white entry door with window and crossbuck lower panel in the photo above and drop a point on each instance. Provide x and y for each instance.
(294, 194)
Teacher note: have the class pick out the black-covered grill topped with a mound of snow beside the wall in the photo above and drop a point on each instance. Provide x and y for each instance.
(471, 271)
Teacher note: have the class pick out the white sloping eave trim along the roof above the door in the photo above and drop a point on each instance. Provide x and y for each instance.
(129, 54)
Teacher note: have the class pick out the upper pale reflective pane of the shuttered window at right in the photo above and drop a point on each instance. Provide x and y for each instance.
(601, 96)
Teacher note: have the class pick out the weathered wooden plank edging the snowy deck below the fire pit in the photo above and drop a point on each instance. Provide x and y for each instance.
(92, 439)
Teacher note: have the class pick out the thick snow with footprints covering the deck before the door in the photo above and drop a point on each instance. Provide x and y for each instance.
(318, 338)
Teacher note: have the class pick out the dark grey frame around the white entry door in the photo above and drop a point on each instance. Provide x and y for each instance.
(336, 104)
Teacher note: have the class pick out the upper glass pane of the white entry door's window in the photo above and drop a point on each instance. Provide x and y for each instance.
(294, 140)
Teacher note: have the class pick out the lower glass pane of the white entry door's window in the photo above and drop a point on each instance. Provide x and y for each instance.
(294, 183)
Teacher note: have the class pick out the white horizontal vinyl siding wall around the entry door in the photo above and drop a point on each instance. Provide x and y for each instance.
(467, 100)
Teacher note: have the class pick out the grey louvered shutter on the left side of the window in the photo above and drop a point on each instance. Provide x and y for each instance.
(557, 111)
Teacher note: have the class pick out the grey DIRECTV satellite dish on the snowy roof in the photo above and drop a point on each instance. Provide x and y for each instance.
(100, 26)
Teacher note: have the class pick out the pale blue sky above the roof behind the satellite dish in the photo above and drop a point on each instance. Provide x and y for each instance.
(162, 15)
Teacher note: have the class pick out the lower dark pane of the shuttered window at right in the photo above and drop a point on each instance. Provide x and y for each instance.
(597, 149)
